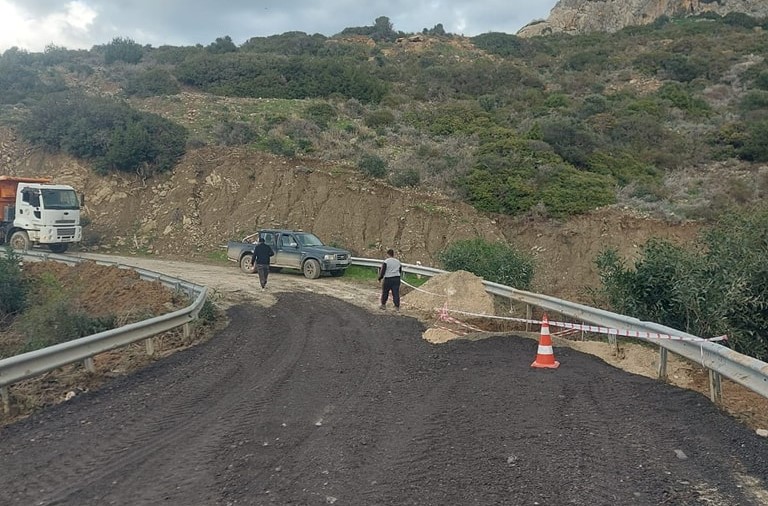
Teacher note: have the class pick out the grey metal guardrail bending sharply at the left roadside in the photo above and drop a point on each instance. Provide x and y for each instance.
(34, 363)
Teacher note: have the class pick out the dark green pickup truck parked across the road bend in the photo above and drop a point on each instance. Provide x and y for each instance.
(293, 250)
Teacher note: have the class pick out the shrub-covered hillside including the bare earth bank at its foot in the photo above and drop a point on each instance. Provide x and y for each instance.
(560, 146)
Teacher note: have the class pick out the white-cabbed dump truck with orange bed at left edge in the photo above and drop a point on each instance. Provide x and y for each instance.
(34, 211)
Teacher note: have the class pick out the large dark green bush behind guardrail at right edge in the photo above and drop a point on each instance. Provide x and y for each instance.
(717, 285)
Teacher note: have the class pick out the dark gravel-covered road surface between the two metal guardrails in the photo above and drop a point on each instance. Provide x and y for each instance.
(311, 399)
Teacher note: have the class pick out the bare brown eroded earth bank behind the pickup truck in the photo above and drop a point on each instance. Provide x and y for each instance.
(216, 194)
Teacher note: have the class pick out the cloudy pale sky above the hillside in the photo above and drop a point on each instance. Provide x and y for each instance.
(33, 25)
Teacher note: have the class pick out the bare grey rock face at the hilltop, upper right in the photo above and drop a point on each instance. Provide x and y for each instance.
(584, 16)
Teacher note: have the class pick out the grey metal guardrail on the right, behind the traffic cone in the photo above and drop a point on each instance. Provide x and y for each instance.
(719, 360)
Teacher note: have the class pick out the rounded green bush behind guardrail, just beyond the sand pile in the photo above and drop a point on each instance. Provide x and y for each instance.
(492, 261)
